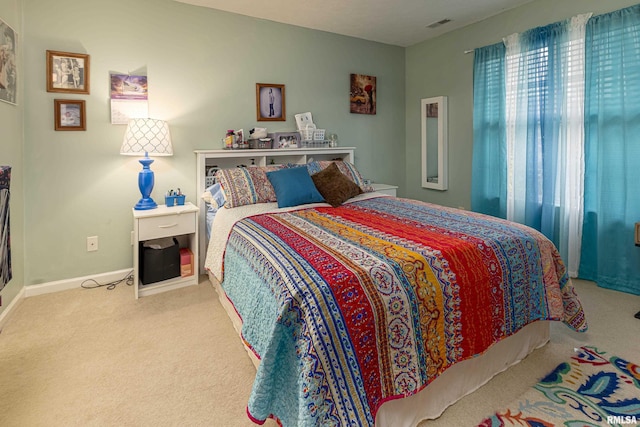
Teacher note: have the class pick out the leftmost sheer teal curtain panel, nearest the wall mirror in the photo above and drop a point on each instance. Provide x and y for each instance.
(489, 169)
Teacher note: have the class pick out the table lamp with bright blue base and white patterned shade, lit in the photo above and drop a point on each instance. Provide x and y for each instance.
(146, 137)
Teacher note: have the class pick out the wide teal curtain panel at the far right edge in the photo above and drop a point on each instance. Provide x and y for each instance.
(612, 151)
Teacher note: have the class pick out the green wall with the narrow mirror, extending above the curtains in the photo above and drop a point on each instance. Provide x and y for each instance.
(440, 67)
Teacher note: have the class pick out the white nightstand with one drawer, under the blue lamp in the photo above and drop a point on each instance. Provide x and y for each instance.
(179, 222)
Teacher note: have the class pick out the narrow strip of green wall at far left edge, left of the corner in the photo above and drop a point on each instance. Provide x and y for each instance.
(11, 154)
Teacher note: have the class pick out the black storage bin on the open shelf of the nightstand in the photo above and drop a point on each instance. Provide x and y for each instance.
(157, 265)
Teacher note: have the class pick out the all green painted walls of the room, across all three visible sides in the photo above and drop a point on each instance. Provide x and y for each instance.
(202, 67)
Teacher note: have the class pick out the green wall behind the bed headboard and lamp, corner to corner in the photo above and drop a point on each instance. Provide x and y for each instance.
(202, 67)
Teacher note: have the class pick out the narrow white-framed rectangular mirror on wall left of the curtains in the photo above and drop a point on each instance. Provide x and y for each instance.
(434, 142)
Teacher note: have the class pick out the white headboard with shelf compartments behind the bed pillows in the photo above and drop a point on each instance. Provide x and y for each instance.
(223, 159)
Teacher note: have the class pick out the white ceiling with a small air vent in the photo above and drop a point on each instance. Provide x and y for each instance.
(394, 22)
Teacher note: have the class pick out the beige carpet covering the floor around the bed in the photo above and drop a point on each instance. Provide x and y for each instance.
(100, 358)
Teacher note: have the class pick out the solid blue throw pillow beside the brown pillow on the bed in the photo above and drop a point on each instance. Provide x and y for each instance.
(294, 187)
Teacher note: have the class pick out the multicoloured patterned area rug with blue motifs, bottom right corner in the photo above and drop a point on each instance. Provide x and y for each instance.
(592, 390)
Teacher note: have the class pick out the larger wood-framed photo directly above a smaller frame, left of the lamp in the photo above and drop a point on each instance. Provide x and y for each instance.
(67, 72)
